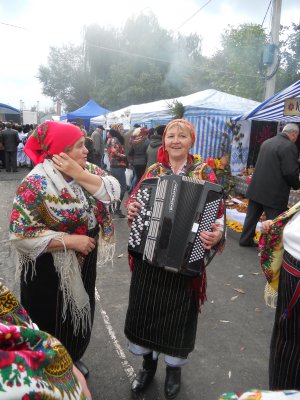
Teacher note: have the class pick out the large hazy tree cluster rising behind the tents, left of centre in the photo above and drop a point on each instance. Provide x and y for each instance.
(140, 63)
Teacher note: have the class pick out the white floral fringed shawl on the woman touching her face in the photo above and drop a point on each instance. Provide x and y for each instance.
(46, 207)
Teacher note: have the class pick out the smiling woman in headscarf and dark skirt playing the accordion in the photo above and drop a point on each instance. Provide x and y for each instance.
(163, 306)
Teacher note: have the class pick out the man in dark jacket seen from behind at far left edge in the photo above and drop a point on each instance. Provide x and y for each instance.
(10, 141)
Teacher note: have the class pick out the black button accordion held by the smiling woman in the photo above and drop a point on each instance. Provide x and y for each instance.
(175, 209)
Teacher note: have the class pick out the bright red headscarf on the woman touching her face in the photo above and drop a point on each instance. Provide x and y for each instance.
(50, 138)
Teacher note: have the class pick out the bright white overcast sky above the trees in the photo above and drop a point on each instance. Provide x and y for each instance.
(52, 23)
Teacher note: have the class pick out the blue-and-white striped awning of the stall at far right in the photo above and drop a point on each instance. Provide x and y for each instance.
(272, 109)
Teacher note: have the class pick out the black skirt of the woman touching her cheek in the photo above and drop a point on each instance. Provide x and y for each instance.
(42, 299)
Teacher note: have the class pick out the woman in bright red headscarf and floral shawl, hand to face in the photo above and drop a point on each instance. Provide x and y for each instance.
(60, 226)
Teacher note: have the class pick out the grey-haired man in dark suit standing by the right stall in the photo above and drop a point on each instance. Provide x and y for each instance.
(276, 172)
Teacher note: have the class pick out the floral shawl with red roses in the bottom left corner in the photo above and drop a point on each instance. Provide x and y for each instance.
(33, 364)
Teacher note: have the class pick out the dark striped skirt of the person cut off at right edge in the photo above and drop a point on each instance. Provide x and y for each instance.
(284, 367)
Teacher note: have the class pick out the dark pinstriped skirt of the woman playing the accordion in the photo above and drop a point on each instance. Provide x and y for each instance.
(162, 313)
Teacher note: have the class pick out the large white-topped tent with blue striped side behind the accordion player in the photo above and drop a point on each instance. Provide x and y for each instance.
(208, 110)
